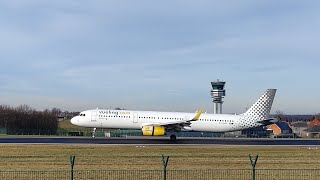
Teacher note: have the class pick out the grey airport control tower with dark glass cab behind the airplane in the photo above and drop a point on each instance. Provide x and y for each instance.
(217, 93)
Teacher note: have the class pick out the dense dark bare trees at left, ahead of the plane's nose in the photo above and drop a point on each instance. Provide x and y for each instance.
(26, 120)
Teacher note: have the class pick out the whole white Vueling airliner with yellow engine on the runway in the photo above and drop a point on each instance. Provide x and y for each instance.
(155, 123)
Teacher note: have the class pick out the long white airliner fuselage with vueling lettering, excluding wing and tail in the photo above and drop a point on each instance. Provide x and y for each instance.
(123, 119)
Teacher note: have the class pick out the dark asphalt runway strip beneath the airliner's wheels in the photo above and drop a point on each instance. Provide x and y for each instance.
(163, 141)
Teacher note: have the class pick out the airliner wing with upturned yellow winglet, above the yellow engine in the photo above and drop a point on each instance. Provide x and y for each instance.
(178, 125)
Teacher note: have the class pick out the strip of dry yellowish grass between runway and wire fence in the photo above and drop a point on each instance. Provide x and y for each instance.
(103, 157)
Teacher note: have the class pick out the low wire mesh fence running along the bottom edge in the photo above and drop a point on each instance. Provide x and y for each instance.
(200, 174)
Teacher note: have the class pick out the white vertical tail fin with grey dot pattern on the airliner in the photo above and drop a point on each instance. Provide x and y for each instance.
(260, 110)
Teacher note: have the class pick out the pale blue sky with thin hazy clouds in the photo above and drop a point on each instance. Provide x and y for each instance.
(159, 55)
